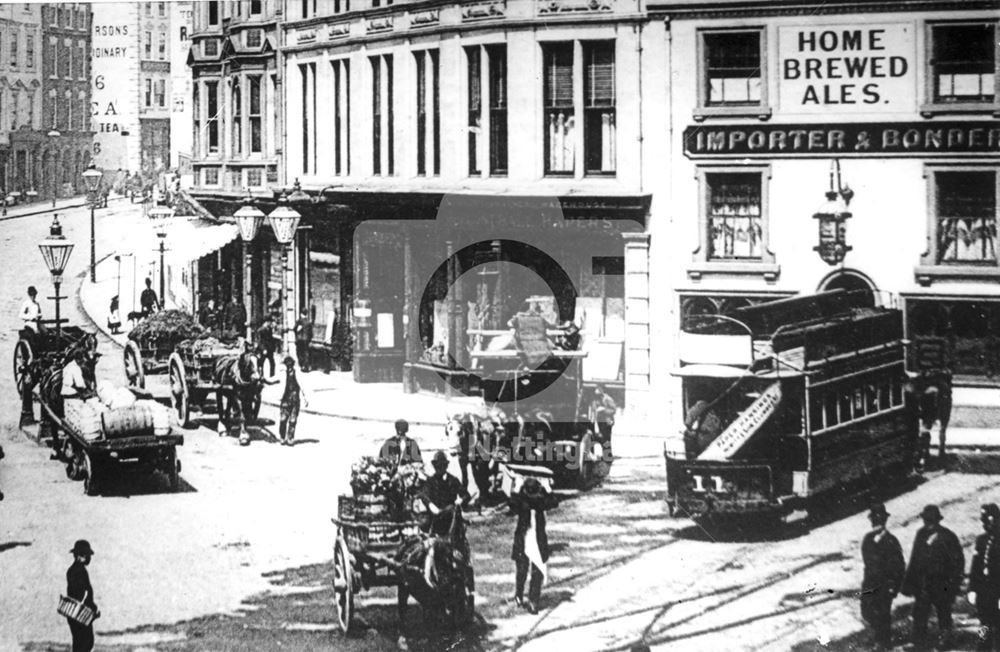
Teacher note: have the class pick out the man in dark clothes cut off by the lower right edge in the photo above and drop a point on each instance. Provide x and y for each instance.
(984, 578)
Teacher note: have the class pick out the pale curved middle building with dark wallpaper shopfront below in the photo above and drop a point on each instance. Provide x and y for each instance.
(462, 158)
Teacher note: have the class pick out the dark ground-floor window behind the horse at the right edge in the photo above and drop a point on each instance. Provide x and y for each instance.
(968, 331)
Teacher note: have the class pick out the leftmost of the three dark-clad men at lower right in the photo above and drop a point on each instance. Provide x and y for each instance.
(884, 567)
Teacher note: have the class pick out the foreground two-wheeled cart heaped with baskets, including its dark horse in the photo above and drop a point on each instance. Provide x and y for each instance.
(380, 541)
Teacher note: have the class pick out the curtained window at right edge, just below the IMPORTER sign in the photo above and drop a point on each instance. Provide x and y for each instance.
(963, 215)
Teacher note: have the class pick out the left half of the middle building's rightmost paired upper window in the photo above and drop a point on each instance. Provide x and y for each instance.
(560, 112)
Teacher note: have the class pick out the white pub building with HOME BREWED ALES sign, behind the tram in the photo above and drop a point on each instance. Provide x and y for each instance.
(904, 97)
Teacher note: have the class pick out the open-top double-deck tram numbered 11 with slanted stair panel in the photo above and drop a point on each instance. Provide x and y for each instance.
(789, 400)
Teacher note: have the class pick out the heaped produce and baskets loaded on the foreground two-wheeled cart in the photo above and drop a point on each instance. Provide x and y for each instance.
(382, 492)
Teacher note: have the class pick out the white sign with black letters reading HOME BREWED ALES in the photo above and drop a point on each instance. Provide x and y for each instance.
(847, 68)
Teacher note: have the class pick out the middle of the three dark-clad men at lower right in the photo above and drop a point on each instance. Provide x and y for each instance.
(934, 575)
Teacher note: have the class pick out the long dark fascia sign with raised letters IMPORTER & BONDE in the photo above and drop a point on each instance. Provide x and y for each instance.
(843, 139)
